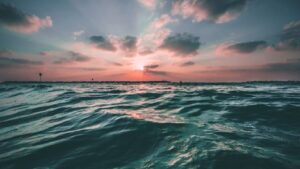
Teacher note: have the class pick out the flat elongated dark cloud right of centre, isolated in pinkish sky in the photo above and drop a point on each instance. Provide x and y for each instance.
(248, 47)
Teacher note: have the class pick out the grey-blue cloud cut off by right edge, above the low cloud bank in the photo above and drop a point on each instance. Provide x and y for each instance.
(289, 38)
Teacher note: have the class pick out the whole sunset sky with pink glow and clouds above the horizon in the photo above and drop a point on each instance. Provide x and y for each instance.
(143, 40)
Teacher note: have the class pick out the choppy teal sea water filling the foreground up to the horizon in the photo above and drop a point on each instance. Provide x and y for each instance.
(105, 125)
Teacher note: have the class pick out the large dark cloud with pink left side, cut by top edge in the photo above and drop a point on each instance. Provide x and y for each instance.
(209, 10)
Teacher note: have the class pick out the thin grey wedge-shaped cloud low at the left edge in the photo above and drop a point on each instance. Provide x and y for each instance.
(13, 62)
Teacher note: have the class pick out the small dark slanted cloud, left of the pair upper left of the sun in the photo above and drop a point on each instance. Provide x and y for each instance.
(102, 43)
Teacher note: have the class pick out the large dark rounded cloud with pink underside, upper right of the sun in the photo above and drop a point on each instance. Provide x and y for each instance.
(182, 44)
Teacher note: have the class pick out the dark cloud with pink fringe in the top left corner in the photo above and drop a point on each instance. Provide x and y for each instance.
(17, 21)
